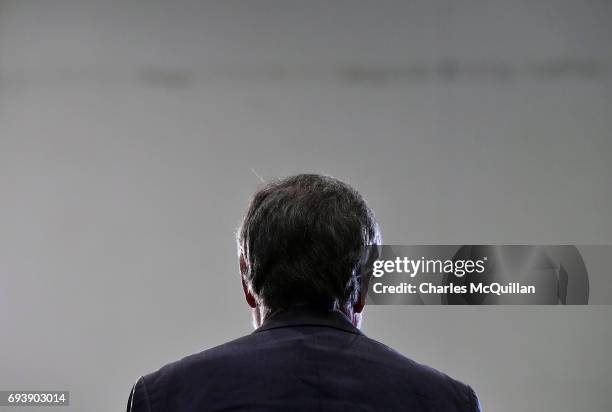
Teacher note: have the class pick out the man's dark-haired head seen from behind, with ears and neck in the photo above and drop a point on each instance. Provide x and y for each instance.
(306, 240)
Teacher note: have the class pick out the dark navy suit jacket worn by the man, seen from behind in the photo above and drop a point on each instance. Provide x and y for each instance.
(300, 360)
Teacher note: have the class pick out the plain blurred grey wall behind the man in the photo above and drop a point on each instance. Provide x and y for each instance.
(132, 134)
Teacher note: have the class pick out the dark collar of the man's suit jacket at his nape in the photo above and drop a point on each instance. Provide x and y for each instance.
(306, 316)
